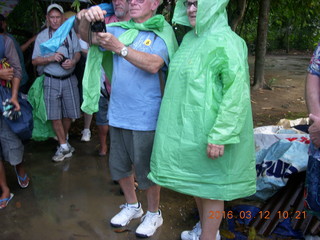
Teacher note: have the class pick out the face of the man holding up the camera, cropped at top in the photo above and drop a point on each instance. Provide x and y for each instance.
(141, 10)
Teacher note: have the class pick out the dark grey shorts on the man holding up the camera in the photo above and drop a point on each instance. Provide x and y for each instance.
(130, 149)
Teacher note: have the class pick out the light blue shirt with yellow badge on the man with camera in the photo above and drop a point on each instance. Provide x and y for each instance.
(135, 94)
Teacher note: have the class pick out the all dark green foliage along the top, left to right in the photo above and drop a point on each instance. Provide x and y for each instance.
(292, 24)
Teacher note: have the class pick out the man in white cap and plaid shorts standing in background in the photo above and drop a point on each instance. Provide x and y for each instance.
(61, 91)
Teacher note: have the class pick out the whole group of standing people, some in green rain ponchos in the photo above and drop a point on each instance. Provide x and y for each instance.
(194, 137)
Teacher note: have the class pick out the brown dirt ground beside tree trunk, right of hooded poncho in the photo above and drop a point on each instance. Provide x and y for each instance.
(286, 75)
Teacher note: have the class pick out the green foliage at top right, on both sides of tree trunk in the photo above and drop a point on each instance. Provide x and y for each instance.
(292, 24)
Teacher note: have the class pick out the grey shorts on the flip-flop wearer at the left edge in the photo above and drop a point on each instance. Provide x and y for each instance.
(11, 147)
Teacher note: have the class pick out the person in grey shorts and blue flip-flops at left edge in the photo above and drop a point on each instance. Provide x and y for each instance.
(11, 147)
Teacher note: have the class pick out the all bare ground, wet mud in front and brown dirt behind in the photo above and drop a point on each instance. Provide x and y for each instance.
(76, 199)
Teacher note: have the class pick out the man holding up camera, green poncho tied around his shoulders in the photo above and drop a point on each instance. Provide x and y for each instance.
(142, 48)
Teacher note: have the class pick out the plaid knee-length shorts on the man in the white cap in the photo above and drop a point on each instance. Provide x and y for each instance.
(61, 98)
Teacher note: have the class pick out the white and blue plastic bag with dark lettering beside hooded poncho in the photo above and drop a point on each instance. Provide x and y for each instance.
(279, 153)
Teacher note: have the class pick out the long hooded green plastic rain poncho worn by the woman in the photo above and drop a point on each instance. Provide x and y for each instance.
(206, 100)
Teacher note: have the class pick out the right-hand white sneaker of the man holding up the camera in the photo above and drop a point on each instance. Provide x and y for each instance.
(149, 224)
